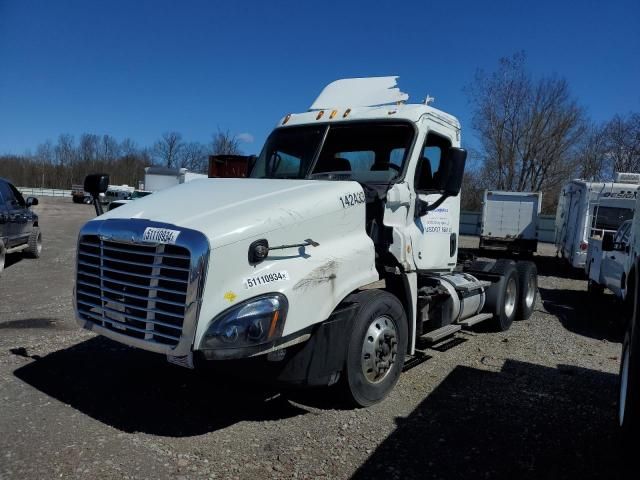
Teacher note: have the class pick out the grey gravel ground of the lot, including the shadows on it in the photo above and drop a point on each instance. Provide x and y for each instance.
(536, 401)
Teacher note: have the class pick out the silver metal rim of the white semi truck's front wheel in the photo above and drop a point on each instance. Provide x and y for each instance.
(379, 349)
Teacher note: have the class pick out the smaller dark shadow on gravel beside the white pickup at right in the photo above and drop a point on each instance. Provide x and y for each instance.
(594, 317)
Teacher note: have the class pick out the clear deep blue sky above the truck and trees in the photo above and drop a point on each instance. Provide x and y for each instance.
(141, 68)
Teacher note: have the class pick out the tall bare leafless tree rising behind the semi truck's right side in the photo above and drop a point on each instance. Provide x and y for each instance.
(527, 128)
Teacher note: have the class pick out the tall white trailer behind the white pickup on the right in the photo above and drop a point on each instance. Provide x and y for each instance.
(591, 209)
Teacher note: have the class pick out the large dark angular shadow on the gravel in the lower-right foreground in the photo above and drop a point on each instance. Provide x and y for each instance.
(526, 422)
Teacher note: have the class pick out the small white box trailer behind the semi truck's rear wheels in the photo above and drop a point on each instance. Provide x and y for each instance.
(510, 221)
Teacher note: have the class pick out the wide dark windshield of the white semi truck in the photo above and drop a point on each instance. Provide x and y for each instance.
(365, 152)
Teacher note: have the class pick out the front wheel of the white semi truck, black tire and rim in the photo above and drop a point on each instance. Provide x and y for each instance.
(376, 350)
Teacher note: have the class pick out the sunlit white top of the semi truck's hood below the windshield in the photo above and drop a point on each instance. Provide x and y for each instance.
(228, 210)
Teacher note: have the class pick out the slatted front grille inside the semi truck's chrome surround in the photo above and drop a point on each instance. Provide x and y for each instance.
(134, 289)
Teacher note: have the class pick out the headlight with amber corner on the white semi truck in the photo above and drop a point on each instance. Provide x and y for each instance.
(255, 321)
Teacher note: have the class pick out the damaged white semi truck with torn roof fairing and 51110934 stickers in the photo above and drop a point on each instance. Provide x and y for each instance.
(327, 265)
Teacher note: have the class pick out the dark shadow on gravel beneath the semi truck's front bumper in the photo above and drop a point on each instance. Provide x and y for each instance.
(136, 391)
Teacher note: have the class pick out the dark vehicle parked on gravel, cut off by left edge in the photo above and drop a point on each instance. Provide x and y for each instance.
(19, 230)
